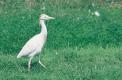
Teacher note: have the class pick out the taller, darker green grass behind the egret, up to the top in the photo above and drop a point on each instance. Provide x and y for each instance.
(73, 26)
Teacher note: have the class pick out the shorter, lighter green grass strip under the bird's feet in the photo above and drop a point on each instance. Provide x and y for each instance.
(91, 63)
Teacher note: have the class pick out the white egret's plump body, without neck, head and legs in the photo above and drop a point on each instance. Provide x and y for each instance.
(35, 44)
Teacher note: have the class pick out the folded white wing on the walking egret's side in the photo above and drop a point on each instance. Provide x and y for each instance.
(30, 46)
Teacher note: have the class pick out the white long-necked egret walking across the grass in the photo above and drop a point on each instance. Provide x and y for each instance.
(35, 45)
